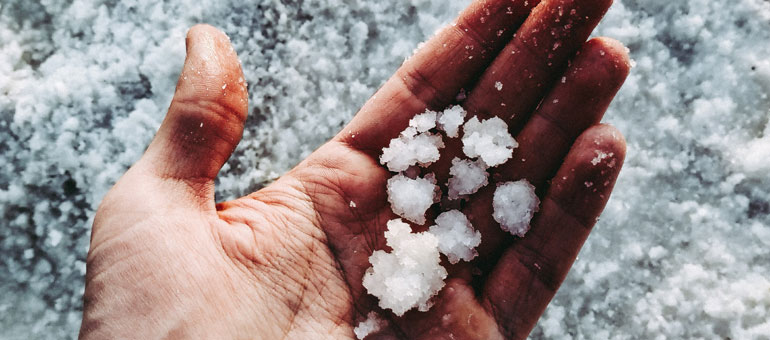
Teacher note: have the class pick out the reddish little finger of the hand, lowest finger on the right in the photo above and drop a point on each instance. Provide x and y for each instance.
(530, 271)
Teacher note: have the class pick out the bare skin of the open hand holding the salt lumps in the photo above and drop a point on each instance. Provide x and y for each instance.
(287, 261)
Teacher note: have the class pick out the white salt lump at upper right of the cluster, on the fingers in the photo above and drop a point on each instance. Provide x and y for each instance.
(488, 140)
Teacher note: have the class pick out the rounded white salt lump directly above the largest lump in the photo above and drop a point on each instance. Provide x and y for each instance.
(410, 198)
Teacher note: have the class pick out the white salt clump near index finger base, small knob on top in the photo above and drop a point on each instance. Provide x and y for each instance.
(415, 145)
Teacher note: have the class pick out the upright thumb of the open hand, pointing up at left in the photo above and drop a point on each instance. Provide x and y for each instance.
(205, 120)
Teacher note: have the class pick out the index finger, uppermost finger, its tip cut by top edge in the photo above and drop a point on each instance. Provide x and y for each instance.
(433, 77)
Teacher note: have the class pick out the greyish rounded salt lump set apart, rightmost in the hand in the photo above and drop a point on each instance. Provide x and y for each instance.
(514, 205)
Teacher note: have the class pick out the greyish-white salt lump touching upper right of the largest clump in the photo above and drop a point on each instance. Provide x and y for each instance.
(456, 237)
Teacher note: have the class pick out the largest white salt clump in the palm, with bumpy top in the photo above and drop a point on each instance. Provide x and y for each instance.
(410, 275)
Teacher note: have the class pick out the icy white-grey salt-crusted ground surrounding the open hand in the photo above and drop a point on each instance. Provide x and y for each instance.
(681, 251)
